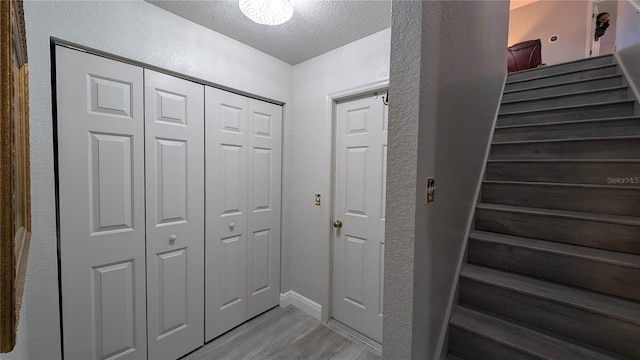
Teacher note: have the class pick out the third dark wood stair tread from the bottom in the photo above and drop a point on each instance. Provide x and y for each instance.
(568, 250)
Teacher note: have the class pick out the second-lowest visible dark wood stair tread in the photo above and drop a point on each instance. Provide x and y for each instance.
(605, 305)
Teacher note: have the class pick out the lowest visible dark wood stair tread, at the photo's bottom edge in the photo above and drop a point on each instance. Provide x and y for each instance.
(519, 338)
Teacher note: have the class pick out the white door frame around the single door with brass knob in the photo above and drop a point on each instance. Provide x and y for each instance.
(332, 99)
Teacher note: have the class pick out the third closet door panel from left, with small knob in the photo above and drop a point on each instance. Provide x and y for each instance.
(226, 203)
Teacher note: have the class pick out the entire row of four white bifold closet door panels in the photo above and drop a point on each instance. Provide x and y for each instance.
(131, 192)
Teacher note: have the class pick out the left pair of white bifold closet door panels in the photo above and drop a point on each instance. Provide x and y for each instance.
(131, 288)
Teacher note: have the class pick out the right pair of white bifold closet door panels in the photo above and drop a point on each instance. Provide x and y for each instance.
(243, 162)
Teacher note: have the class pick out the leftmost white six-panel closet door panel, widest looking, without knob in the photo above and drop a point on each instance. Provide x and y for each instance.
(100, 140)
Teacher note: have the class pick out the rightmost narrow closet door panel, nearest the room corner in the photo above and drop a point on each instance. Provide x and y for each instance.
(264, 162)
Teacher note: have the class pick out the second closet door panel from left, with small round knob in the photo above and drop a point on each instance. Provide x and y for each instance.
(174, 112)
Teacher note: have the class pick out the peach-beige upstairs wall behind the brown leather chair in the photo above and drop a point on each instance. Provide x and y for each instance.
(540, 20)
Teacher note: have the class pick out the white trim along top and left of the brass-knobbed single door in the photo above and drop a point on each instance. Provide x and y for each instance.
(332, 98)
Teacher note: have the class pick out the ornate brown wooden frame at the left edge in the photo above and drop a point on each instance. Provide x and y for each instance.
(15, 184)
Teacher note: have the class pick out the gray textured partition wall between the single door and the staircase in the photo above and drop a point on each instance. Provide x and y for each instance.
(447, 73)
